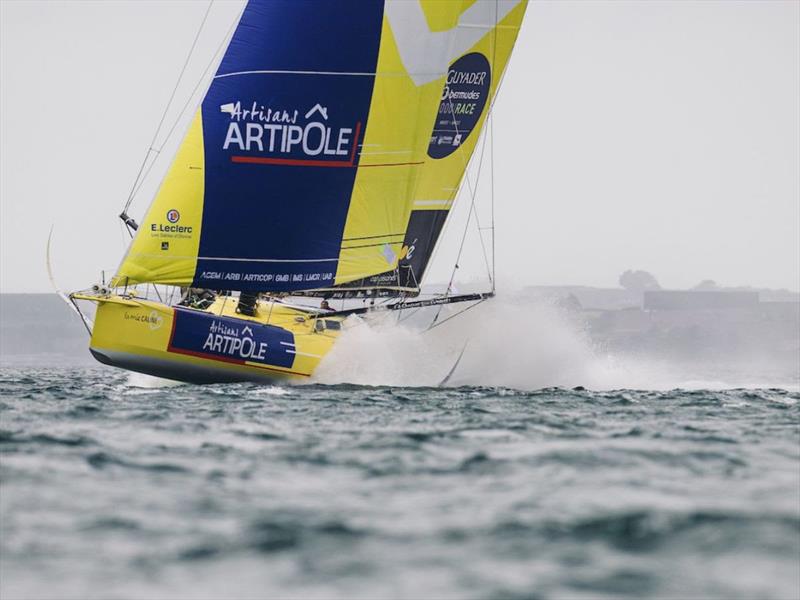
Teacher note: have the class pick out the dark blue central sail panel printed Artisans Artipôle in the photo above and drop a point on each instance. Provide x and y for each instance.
(281, 125)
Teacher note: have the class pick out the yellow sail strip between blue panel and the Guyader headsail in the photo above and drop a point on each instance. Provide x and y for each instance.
(404, 102)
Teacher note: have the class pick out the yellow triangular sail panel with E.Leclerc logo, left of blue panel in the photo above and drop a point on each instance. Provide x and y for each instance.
(166, 245)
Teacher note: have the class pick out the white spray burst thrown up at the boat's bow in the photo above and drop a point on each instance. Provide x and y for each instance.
(526, 347)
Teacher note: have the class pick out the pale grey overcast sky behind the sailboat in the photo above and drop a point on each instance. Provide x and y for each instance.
(656, 135)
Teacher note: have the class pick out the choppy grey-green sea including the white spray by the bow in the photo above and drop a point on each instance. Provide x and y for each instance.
(545, 470)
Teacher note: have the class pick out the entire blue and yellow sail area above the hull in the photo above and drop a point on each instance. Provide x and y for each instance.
(329, 147)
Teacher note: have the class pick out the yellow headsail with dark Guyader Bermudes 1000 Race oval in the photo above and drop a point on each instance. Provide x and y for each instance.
(477, 52)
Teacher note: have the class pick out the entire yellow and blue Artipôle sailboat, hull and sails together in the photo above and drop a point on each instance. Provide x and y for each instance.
(321, 163)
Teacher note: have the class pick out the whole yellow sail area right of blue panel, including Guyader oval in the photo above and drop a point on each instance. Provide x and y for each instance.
(439, 67)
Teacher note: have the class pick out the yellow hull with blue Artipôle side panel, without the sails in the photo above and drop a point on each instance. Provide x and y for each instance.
(281, 343)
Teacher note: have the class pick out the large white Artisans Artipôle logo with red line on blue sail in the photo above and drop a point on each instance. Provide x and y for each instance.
(288, 137)
